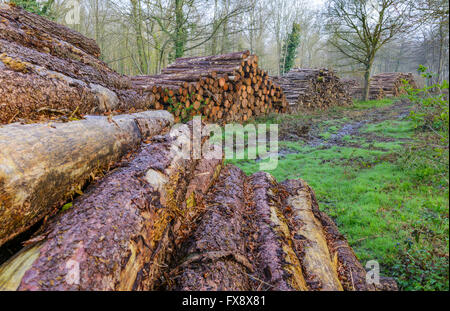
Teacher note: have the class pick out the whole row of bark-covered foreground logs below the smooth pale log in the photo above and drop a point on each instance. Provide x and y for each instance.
(239, 233)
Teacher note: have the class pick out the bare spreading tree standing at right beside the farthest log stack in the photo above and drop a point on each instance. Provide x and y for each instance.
(359, 28)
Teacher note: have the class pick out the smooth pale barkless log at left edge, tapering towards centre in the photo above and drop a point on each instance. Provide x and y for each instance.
(42, 165)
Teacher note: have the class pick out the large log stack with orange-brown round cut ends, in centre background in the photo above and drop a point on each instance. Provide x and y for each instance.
(222, 88)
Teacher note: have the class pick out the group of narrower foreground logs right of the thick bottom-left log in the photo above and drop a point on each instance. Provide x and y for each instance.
(257, 234)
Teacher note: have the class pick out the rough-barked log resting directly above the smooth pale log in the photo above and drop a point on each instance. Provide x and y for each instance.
(31, 93)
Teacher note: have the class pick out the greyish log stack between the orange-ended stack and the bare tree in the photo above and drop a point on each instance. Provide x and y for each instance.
(313, 89)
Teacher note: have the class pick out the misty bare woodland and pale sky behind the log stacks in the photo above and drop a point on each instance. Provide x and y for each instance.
(144, 36)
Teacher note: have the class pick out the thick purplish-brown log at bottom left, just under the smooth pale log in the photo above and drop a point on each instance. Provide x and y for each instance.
(120, 245)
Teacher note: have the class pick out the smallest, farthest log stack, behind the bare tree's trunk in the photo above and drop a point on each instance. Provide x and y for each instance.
(387, 84)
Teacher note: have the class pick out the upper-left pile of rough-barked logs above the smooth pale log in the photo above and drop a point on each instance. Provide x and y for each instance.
(50, 71)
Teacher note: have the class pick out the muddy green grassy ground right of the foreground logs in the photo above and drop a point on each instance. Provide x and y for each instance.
(366, 169)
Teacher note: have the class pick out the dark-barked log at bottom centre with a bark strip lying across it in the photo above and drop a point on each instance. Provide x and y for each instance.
(214, 258)
